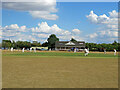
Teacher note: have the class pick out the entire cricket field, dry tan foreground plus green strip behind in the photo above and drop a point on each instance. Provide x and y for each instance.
(59, 70)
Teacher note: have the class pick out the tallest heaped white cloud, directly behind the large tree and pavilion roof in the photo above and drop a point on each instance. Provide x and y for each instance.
(45, 30)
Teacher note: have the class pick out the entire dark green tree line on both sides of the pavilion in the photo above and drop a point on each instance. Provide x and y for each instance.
(7, 44)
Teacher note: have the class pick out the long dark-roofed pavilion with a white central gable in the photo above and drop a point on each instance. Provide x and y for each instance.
(68, 45)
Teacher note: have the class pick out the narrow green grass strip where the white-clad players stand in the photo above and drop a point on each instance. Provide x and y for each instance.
(57, 54)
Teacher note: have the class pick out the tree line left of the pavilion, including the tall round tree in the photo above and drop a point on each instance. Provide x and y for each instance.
(7, 44)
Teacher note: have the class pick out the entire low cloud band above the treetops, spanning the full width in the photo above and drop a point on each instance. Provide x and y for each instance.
(43, 31)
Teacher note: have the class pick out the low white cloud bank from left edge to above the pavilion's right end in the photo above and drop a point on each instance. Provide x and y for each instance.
(39, 33)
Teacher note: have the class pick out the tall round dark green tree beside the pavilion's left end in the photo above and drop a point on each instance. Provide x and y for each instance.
(51, 41)
